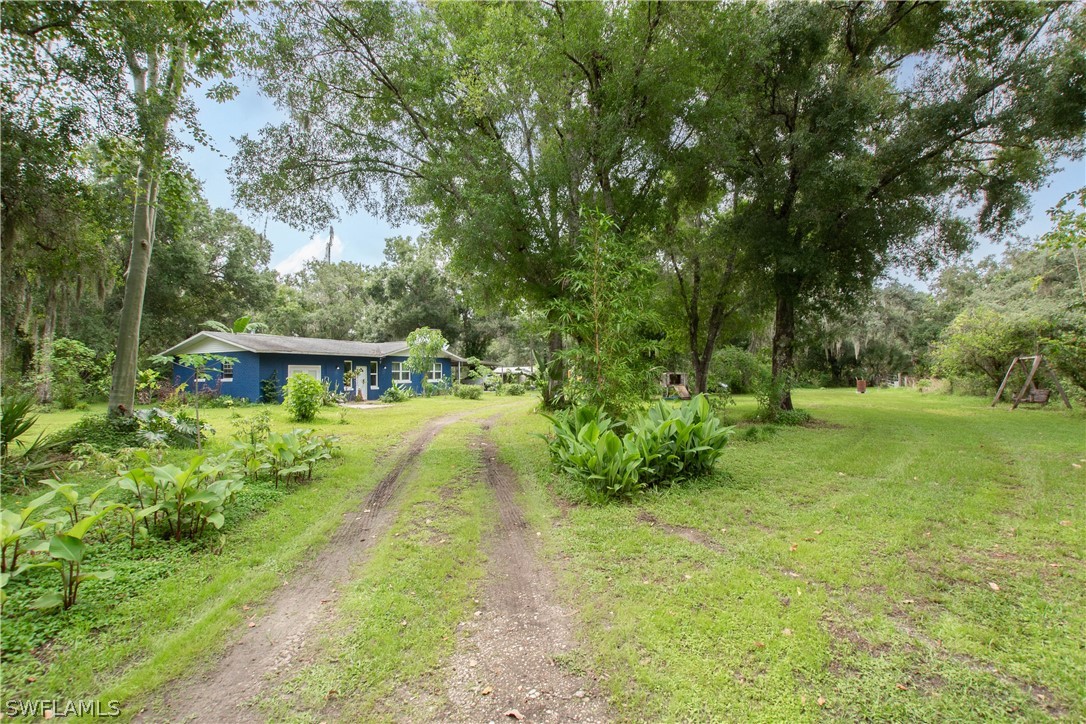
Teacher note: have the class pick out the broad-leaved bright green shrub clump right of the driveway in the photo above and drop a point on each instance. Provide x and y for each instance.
(664, 446)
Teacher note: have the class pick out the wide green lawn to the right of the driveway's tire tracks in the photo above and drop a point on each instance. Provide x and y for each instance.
(850, 563)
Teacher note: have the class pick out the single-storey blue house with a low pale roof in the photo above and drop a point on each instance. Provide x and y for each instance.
(368, 369)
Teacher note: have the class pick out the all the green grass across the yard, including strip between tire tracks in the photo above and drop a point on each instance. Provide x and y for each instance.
(904, 557)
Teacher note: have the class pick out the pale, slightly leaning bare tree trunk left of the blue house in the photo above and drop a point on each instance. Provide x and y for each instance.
(123, 391)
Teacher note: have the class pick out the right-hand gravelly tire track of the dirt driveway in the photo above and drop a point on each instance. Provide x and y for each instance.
(510, 654)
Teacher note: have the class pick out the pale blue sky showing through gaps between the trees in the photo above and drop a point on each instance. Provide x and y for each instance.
(361, 237)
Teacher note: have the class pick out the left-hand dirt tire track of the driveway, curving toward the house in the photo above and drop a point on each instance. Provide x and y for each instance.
(266, 651)
